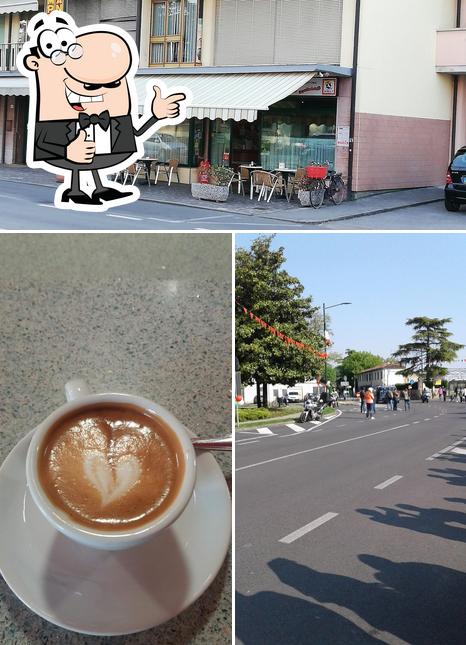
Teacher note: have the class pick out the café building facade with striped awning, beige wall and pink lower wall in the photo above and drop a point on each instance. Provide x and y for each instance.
(374, 88)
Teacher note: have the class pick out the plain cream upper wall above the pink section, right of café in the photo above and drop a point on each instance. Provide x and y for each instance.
(397, 58)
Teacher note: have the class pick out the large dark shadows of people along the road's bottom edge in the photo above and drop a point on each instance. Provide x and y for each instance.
(422, 604)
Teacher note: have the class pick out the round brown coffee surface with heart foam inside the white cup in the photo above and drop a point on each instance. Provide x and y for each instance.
(111, 466)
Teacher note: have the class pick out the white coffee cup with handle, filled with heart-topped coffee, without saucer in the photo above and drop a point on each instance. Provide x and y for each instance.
(110, 470)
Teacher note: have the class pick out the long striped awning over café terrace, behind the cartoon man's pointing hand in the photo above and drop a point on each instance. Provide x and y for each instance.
(229, 96)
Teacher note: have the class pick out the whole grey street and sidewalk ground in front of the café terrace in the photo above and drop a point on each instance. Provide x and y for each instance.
(26, 199)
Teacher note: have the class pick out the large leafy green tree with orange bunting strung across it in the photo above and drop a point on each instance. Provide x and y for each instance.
(264, 287)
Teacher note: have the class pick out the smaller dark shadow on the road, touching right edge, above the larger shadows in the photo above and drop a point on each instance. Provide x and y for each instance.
(434, 521)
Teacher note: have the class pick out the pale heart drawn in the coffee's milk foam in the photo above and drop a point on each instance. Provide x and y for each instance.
(112, 483)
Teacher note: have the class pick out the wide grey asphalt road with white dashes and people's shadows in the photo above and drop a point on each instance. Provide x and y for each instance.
(354, 531)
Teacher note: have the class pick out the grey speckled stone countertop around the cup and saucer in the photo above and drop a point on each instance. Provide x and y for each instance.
(147, 314)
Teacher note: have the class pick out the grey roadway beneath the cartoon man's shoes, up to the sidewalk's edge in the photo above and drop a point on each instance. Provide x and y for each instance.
(30, 207)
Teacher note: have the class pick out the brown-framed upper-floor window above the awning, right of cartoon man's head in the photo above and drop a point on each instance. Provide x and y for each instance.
(176, 32)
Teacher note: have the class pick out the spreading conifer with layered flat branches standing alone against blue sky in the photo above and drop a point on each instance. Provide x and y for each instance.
(429, 348)
